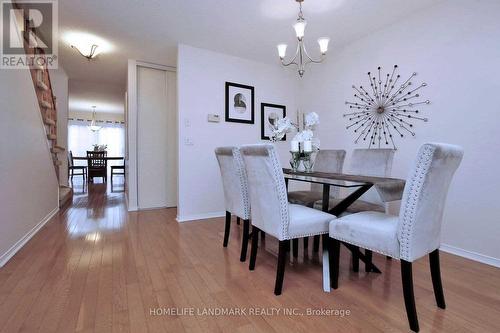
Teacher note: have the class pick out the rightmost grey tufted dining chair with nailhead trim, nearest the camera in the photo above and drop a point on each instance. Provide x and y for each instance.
(415, 232)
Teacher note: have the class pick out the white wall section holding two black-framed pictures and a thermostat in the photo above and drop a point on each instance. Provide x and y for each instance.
(201, 82)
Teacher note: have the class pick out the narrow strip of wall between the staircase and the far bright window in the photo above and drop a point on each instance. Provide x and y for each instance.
(59, 81)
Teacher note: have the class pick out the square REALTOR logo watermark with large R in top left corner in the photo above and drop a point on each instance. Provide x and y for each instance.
(28, 34)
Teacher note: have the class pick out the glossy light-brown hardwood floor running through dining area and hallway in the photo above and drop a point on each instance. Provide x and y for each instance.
(97, 268)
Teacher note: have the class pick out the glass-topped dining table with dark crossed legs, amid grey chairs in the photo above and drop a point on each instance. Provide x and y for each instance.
(389, 189)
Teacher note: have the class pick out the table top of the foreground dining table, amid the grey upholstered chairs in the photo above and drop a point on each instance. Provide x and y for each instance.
(390, 189)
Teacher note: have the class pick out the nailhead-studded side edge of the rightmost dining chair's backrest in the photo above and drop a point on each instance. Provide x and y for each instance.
(409, 208)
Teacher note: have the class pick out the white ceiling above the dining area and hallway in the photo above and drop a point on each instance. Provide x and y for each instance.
(150, 30)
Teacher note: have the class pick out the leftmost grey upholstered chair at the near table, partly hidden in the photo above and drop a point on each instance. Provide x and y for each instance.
(235, 186)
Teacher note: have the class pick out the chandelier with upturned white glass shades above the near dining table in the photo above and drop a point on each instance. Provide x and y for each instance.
(301, 58)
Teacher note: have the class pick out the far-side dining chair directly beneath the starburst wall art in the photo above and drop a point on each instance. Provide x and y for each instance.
(366, 162)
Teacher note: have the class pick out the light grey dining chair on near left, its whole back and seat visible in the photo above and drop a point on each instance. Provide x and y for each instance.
(272, 213)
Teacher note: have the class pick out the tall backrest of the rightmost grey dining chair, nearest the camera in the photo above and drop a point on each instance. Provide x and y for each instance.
(424, 198)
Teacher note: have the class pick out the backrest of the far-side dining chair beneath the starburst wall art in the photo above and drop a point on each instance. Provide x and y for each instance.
(372, 162)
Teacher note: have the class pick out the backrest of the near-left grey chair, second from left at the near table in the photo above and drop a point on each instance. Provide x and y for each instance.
(268, 194)
